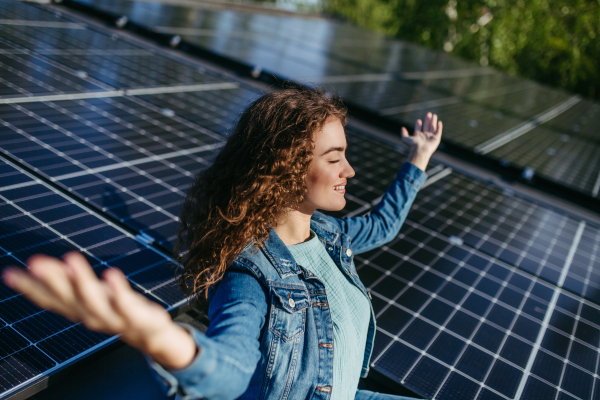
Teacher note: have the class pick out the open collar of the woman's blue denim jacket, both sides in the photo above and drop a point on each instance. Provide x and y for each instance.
(282, 259)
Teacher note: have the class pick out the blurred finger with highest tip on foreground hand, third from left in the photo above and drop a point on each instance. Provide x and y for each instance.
(90, 294)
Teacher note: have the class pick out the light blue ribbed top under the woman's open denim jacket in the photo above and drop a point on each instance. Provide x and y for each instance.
(350, 313)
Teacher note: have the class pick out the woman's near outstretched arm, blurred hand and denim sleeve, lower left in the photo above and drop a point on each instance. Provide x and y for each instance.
(218, 365)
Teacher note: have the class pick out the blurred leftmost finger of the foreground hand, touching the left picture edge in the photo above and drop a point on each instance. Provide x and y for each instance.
(36, 291)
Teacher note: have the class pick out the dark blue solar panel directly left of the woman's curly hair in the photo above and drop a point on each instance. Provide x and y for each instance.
(121, 155)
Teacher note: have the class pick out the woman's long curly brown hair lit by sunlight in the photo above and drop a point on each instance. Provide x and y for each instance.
(260, 172)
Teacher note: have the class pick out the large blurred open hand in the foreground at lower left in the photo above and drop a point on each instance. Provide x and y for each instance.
(70, 287)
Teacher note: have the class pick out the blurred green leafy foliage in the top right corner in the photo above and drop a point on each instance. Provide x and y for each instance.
(555, 42)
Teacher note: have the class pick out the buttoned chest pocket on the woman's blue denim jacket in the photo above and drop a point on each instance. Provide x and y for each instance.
(288, 312)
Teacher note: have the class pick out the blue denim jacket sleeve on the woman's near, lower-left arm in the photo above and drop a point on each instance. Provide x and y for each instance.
(229, 351)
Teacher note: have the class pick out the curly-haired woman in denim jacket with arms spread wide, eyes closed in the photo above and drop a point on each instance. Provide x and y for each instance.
(289, 317)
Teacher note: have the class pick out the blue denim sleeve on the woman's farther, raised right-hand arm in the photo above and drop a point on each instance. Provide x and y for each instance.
(383, 223)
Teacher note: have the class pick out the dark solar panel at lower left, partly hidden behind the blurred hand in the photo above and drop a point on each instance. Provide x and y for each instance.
(36, 218)
